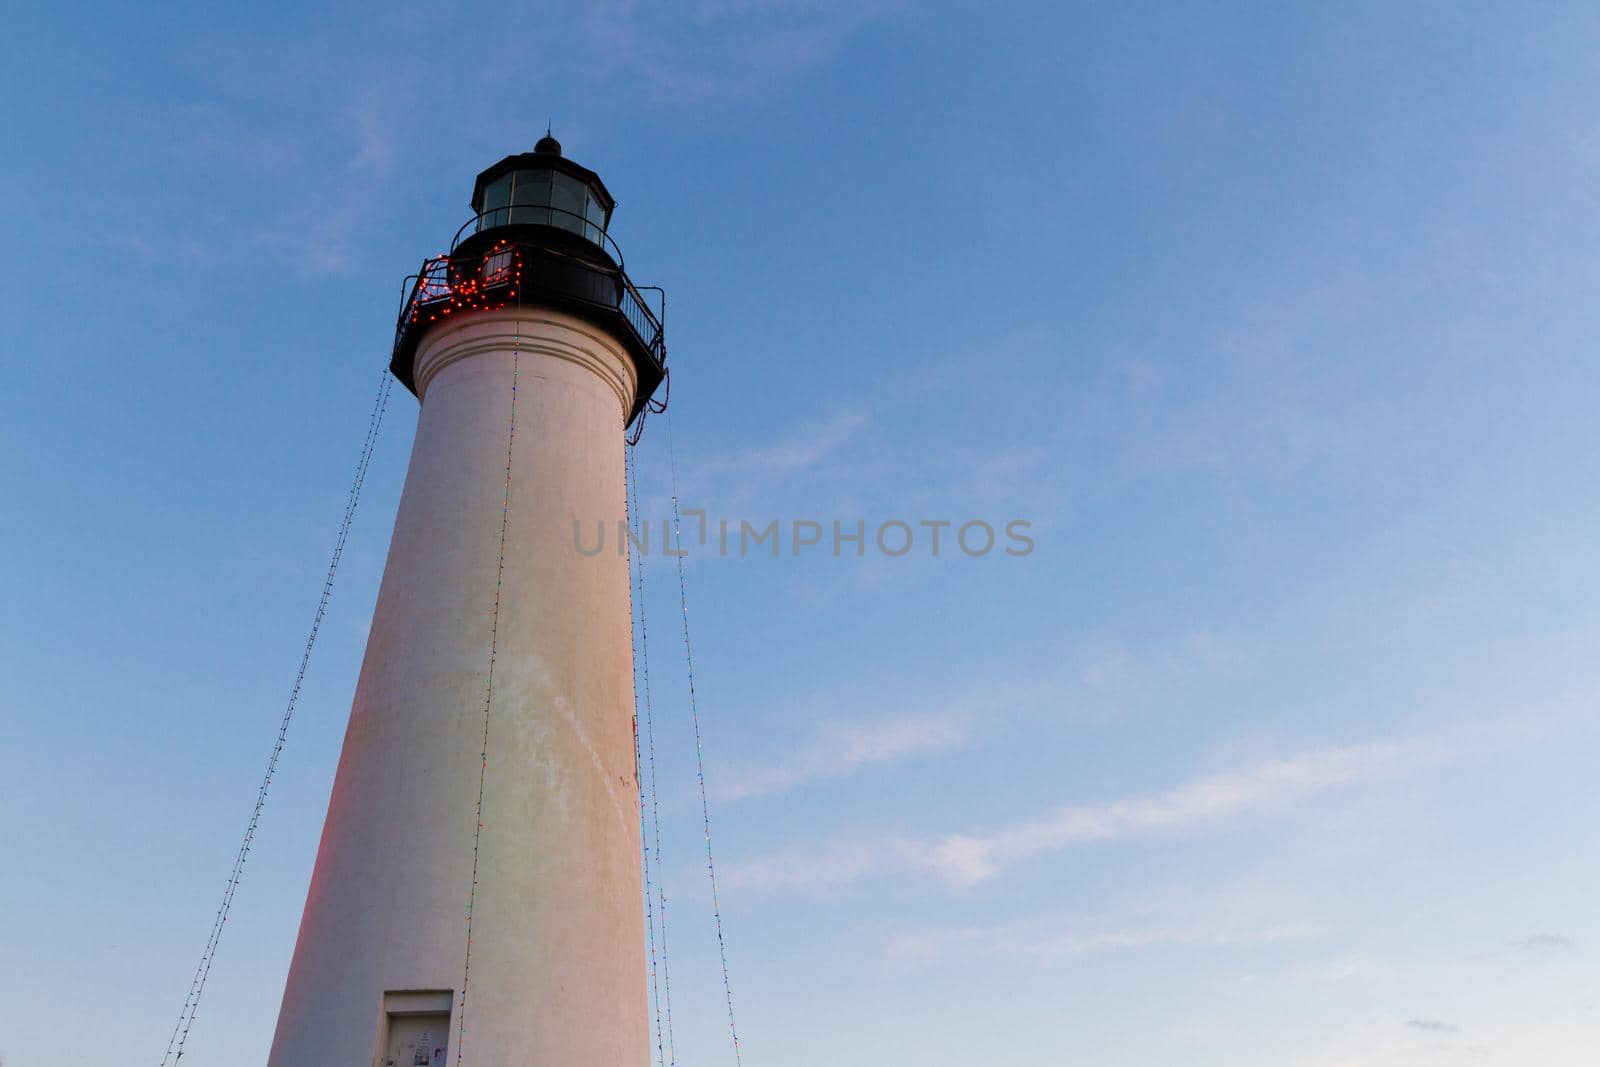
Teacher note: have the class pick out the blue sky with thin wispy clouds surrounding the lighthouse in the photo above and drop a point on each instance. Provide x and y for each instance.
(1278, 326)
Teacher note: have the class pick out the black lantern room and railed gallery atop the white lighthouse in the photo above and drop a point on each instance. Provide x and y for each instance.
(538, 236)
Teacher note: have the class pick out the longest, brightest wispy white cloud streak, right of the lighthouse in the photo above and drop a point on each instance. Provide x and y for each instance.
(964, 860)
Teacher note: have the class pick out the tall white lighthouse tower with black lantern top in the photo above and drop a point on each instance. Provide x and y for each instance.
(478, 887)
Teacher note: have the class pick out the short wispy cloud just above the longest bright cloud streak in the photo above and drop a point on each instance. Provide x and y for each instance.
(847, 748)
